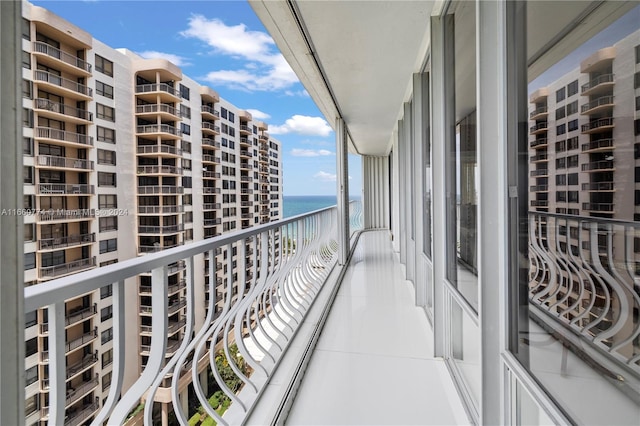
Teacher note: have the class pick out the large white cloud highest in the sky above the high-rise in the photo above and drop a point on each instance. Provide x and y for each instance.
(265, 68)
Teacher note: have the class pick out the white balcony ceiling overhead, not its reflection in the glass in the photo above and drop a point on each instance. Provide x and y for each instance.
(367, 51)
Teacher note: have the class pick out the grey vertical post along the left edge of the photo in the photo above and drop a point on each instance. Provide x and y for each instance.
(11, 229)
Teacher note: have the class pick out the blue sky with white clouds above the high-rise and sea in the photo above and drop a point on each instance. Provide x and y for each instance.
(223, 44)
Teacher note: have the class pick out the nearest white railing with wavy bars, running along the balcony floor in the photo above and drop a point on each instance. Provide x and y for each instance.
(261, 319)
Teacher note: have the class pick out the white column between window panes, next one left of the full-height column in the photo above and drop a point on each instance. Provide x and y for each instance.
(441, 87)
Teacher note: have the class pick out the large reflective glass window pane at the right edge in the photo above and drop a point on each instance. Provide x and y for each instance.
(578, 319)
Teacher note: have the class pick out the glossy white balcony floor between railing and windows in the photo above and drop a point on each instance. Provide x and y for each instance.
(374, 361)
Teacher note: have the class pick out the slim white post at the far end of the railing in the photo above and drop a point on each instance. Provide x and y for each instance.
(342, 172)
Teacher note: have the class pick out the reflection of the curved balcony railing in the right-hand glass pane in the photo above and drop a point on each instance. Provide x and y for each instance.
(583, 289)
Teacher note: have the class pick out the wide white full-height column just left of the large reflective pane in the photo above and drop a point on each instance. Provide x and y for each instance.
(492, 212)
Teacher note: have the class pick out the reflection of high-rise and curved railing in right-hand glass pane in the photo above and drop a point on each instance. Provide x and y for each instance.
(584, 240)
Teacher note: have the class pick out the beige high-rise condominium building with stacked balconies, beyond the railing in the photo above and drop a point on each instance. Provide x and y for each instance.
(125, 156)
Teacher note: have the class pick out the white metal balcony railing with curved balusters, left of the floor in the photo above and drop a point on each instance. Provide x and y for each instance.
(267, 290)
